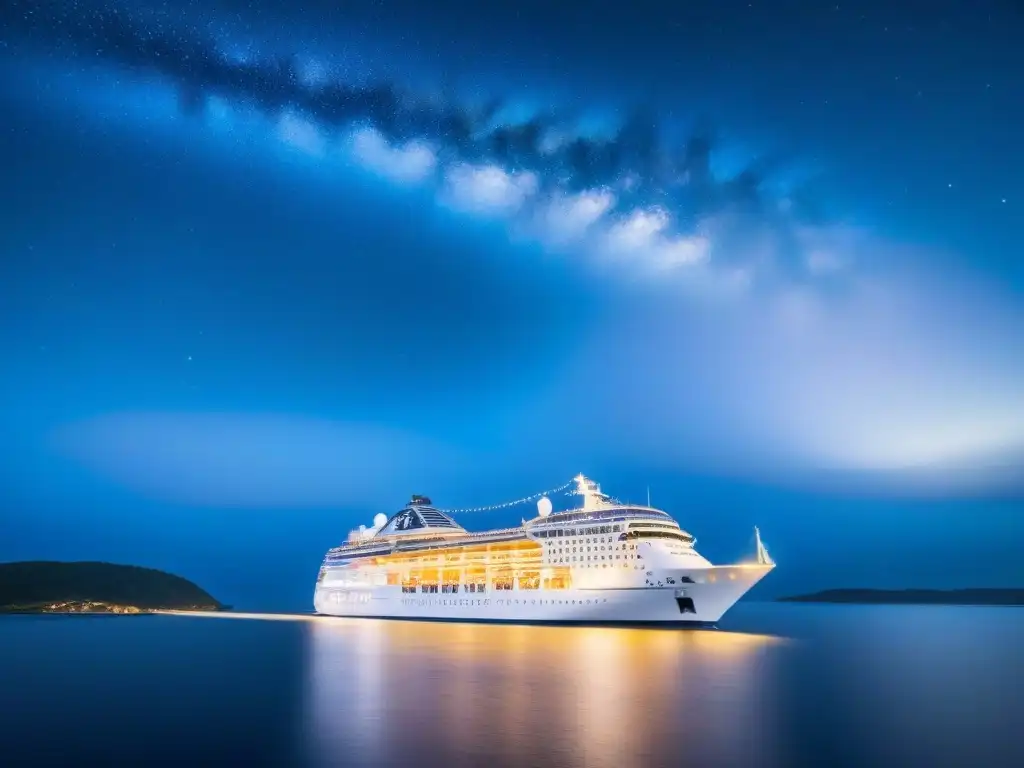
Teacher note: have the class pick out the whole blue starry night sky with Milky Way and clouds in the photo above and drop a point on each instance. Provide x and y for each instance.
(270, 268)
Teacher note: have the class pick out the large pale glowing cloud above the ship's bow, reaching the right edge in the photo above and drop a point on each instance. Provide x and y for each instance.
(903, 377)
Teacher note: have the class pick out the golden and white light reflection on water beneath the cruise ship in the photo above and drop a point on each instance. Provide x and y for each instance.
(537, 696)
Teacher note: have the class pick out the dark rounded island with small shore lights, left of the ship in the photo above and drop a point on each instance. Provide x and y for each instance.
(51, 587)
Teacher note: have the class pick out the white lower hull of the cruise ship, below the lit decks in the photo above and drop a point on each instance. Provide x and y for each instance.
(715, 590)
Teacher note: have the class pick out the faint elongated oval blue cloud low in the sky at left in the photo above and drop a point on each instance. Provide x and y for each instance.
(253, 461)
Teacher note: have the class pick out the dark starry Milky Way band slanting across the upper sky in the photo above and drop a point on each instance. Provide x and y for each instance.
(654, 192)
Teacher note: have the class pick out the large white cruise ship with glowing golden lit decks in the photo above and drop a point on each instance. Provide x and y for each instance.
(603, 563)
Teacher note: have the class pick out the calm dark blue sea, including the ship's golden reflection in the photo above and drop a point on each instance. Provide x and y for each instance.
(786, 686)
